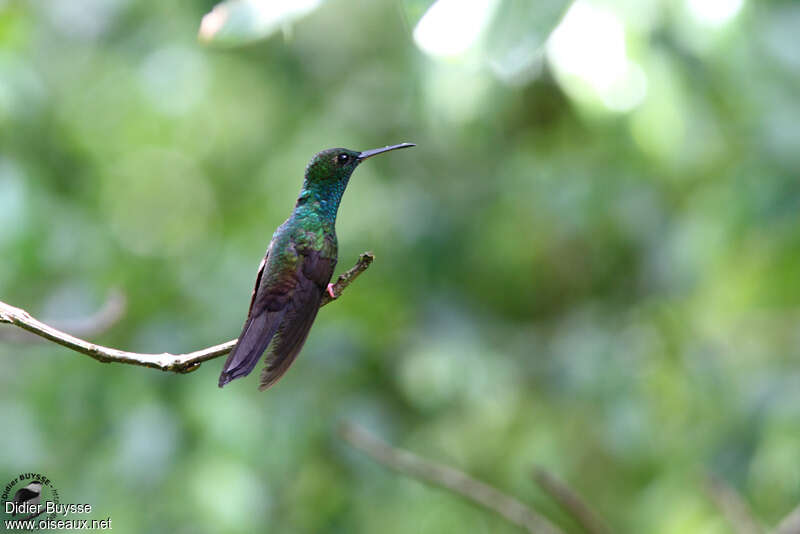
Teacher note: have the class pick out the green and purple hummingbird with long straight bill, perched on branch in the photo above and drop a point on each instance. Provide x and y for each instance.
(296, 270)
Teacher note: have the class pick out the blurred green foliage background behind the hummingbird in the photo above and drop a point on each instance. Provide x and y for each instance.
(613, 296)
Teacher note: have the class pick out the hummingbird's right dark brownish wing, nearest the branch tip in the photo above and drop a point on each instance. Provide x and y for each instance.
(313, 274)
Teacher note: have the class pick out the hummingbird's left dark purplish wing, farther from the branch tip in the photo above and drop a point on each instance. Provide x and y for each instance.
(263, 318)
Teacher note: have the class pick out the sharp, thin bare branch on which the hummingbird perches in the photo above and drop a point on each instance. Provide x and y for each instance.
(178, 363)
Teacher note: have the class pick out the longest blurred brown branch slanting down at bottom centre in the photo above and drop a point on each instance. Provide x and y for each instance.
(451, 479)
